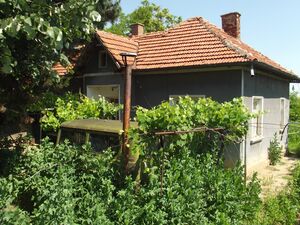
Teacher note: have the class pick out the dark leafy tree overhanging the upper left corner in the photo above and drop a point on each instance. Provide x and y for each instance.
(35, 34)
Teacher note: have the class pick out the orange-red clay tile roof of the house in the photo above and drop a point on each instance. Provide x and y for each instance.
(194, 42)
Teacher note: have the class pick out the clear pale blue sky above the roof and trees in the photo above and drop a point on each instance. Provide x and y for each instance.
(270, 26)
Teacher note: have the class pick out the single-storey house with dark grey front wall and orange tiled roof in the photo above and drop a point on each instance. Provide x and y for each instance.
(198, 59)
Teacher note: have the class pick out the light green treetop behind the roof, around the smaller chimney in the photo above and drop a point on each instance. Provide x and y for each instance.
(152, 16)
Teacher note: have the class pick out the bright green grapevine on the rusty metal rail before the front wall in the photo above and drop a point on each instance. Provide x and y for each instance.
(231, 117)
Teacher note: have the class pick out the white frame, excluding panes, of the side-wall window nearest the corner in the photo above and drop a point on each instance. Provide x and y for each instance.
(254, 123)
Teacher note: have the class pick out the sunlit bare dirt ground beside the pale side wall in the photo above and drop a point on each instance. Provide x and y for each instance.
(275, 178)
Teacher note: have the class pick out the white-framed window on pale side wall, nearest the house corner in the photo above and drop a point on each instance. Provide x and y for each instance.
(257, 122)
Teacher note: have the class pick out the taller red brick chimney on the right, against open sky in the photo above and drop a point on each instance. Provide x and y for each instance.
(231, 24)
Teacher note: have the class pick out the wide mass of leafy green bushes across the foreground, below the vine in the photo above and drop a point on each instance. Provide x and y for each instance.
(72, 185)
